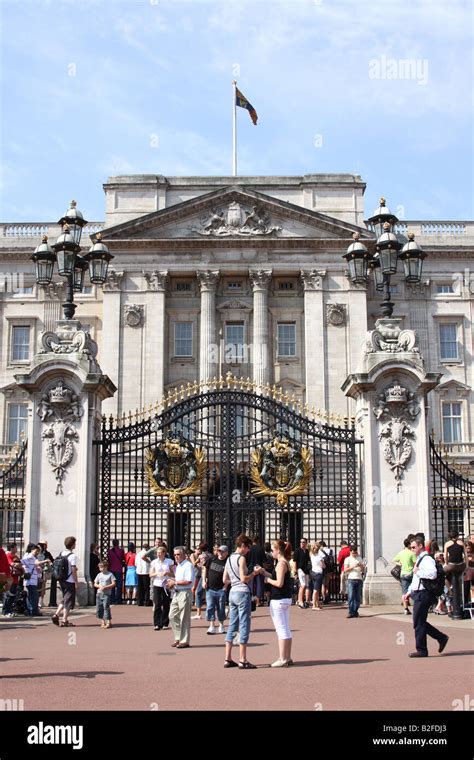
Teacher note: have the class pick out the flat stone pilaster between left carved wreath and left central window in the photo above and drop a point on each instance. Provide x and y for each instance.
(155, 346)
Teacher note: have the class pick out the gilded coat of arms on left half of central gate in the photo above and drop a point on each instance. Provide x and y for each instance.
(175, 468)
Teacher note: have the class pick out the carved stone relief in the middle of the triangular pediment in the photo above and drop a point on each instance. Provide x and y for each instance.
(236, 220)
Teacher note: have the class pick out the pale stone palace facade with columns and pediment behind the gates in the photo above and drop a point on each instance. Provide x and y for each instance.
(244, 277)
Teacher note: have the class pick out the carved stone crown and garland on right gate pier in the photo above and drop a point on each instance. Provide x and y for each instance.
(396, 407)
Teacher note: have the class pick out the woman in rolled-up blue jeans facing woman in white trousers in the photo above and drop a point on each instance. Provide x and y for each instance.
(240, 600)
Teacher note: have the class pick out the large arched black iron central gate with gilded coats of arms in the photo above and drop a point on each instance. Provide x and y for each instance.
(224, 428)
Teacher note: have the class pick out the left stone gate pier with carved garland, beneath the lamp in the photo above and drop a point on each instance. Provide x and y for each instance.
(66, 388)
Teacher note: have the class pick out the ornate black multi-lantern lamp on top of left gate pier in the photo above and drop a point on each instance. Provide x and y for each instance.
(66, 253)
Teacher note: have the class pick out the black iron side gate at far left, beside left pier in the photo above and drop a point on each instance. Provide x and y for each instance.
(12, 497)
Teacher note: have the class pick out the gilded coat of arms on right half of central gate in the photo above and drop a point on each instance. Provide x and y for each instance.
(280, 468)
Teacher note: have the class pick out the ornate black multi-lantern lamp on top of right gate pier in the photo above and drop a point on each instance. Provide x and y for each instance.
(383, 263)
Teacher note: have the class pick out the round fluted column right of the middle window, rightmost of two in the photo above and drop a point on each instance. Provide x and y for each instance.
(260, 281)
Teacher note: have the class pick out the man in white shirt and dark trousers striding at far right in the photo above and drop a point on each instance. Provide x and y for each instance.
(425, 568)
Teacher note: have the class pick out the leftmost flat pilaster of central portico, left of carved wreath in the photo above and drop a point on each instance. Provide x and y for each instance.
(111, 350)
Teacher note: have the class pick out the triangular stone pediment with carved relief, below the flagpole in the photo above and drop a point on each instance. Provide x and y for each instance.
(236, 214)
